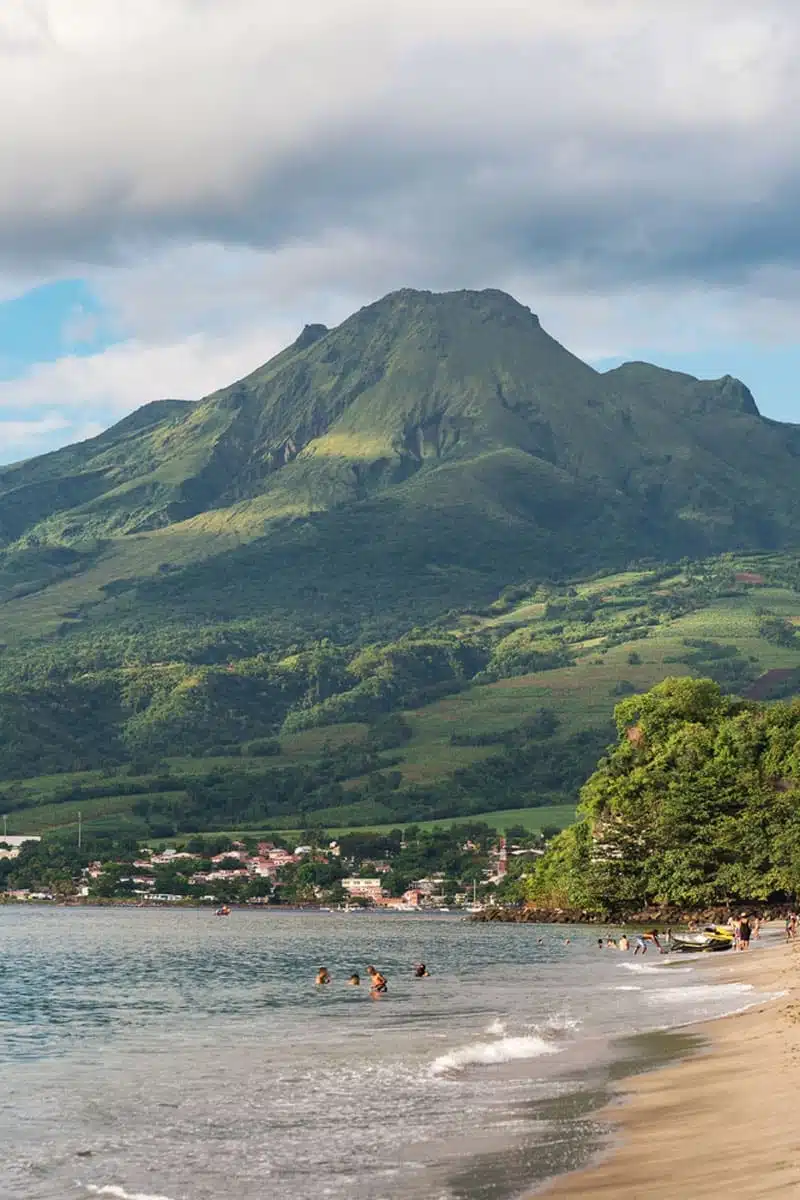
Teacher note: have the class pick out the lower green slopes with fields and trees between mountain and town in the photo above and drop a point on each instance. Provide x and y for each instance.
(498, 710)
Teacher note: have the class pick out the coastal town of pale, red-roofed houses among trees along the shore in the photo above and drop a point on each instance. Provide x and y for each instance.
(407, 871)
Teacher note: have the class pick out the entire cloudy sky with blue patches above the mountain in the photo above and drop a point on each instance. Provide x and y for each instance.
(188, 183)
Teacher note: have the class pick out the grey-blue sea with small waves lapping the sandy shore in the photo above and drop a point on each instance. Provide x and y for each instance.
(160, 1054)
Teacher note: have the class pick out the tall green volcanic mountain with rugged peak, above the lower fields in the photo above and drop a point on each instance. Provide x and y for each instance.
(424, 454)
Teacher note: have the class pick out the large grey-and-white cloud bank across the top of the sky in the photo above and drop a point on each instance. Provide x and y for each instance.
(611, 141)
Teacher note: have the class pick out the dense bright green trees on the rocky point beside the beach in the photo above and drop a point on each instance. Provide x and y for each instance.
(697, 805)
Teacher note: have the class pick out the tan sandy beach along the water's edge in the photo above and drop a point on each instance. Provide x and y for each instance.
(724, 1123)
